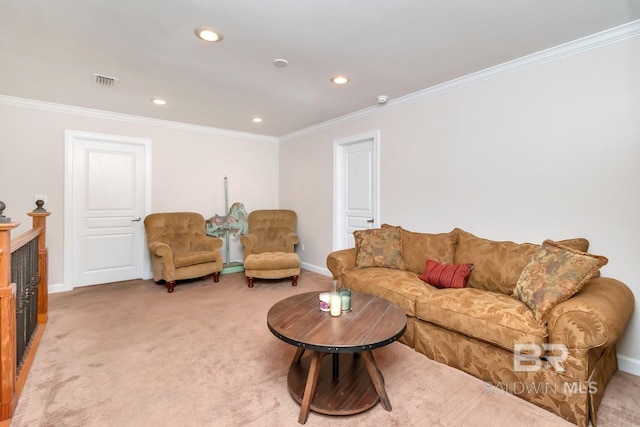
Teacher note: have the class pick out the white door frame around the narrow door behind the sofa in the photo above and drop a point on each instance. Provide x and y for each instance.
(339, 180)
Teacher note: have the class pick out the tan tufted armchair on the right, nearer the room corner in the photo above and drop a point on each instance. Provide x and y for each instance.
(269, 246)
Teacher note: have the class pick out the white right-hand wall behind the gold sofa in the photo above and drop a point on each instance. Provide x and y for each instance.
(551, 151)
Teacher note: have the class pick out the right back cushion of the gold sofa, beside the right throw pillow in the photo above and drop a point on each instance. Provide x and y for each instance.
(497, 265)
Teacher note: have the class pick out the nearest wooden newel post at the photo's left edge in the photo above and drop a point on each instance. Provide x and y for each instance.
(7, 320)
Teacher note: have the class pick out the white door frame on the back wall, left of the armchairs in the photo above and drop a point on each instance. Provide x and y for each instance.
(70, 138)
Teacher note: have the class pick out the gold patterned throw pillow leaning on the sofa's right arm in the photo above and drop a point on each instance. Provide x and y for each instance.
(554, 275)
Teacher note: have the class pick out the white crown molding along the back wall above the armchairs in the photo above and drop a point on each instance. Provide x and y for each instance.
(128, 118)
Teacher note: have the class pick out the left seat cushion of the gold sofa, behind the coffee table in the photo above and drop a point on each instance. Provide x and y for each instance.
(398, 286)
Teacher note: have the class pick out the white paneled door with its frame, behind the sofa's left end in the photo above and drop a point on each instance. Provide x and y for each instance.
(356, 187)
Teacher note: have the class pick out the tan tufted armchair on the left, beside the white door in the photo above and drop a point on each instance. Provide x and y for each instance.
(180, 248)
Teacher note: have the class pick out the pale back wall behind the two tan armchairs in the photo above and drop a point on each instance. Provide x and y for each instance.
(188, 167)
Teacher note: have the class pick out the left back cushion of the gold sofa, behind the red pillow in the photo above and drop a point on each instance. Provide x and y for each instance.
(417, 248)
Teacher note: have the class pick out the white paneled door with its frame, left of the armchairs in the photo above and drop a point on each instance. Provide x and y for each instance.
(108, 184)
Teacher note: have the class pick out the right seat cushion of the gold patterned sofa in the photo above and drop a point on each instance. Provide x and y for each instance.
(488, 316)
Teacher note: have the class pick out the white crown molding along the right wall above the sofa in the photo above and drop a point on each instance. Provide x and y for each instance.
(594, 41)
